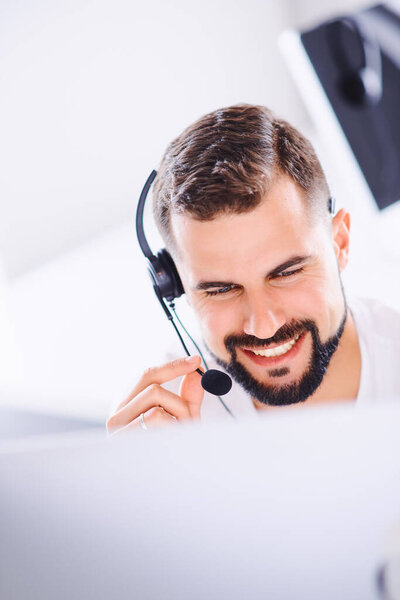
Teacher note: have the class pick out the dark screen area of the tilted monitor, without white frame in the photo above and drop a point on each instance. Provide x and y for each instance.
(366, 100)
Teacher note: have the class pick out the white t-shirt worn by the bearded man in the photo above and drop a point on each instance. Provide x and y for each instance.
(378, 327)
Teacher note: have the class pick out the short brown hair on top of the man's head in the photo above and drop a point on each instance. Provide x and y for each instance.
(226, 161)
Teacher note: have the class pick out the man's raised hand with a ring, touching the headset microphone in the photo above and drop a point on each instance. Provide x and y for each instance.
(160, 406)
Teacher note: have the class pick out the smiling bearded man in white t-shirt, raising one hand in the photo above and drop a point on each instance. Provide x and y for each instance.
(242, 204)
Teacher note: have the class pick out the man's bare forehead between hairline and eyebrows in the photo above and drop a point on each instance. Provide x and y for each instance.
(278, 228)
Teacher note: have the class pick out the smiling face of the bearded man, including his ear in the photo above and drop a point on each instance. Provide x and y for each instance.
(266, 289)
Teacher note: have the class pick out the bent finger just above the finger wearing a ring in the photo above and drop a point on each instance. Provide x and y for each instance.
(152, 396)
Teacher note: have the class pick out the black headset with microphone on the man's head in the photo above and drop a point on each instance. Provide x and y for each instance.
(168, 287)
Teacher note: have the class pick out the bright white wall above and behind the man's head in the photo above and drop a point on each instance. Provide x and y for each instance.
(92, 92)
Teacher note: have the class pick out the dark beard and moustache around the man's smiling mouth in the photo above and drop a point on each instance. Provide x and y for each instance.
(286, 394)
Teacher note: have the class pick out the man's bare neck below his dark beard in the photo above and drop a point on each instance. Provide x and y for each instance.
(342, 379)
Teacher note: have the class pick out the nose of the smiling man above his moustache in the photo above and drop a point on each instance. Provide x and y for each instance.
(263, 316)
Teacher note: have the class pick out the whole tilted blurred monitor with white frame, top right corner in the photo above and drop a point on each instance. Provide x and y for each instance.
(356, 61)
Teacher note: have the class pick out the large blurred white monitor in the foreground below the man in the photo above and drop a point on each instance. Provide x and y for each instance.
(296, 504)
